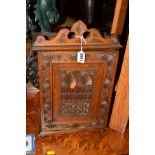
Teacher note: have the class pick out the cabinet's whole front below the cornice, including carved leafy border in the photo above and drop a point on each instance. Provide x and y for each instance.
(73, 95)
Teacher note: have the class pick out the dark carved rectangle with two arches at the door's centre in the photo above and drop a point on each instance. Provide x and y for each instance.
(77, 87)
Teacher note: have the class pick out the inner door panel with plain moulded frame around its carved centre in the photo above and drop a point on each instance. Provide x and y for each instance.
(75, 88)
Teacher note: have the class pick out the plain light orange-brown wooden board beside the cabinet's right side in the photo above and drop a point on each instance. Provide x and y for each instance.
(120, 113)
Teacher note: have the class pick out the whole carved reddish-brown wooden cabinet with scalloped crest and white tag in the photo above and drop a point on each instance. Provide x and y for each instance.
(75, 96)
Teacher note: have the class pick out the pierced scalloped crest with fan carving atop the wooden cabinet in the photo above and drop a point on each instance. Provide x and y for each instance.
(72, 37)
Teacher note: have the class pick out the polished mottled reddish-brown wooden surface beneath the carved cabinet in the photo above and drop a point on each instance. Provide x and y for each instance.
(81, 143)
